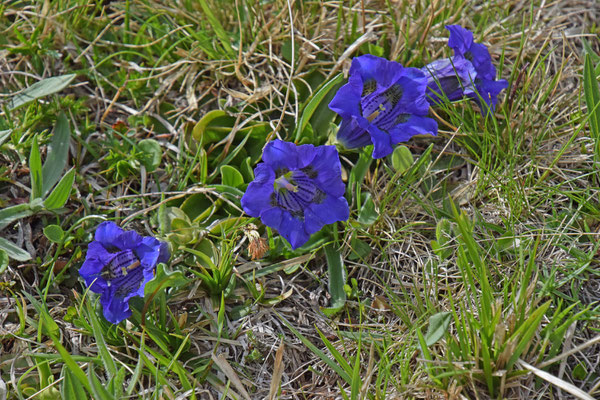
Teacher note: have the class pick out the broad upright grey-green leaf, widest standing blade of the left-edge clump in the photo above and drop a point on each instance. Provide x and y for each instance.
(58, 153)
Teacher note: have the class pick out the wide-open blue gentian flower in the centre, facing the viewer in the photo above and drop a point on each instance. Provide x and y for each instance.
(297, 190)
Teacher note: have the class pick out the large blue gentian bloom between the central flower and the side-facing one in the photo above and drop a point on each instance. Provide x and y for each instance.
(383, 103)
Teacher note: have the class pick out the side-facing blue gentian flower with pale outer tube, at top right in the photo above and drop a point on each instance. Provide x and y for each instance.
(469, 73)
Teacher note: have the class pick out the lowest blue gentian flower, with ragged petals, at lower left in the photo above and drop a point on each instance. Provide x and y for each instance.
(118, 265)
